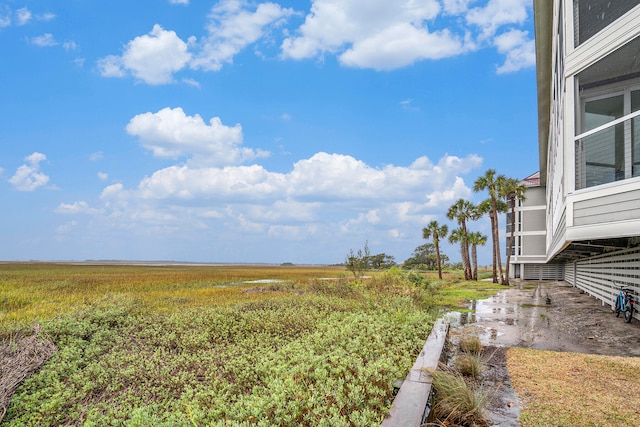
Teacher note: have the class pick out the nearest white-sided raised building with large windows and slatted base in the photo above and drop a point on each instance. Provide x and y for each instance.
(588, 75)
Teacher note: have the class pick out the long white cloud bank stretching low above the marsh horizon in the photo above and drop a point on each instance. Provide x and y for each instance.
(321, 180)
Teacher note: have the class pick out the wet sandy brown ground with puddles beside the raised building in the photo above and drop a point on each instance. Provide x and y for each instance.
(548, 316)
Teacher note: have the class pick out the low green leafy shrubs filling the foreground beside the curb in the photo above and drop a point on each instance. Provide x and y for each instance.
(323, 354)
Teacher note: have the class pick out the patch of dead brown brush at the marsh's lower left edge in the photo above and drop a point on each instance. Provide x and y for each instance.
(21, 356)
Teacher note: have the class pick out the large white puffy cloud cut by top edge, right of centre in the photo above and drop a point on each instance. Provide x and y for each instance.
(372, 33)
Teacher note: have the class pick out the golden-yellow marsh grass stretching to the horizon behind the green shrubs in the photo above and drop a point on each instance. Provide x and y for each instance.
(32, 292)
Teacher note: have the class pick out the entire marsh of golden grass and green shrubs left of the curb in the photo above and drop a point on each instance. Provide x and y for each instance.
(214, 345)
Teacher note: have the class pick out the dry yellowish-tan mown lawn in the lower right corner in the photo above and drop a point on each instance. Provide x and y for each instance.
(575, 390)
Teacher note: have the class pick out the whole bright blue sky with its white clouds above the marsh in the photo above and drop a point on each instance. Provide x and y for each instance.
(238, 131)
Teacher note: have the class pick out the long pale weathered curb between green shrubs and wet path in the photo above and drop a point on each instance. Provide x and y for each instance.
(410, 406)
